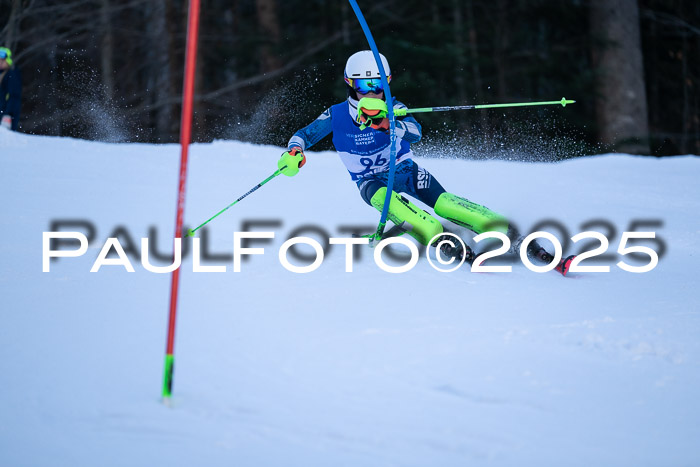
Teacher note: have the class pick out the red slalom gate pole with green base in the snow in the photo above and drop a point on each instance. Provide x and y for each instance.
(185, 137)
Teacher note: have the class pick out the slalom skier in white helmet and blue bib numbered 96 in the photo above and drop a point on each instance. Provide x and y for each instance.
(360, 130)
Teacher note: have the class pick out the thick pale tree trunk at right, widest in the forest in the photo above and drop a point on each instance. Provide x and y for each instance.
(621, 104)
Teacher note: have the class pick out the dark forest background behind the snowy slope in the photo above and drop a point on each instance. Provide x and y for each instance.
(112, 70)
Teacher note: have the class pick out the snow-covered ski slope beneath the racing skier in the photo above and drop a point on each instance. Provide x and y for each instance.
(336, 368)
